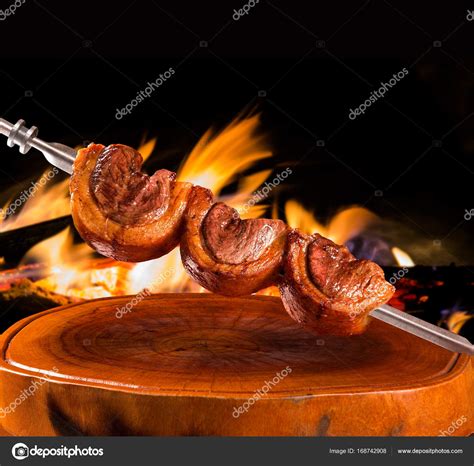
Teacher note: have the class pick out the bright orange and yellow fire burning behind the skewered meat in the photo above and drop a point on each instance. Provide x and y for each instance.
(216, 162)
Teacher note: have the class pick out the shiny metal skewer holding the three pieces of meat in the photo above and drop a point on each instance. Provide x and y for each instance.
(62, 157)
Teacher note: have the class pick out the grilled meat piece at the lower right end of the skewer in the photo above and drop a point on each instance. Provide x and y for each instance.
(326, 289)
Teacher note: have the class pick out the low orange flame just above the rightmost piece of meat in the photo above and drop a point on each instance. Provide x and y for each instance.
(341, 228)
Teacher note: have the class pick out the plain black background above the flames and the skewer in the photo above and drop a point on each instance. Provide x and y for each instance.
(67, 66)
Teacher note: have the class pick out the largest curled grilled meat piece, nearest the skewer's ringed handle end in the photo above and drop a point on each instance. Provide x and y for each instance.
(122, 212)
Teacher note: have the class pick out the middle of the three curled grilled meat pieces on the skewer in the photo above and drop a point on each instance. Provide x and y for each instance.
(227, 255)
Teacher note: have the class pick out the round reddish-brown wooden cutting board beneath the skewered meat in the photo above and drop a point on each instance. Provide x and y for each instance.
(183, 364)
